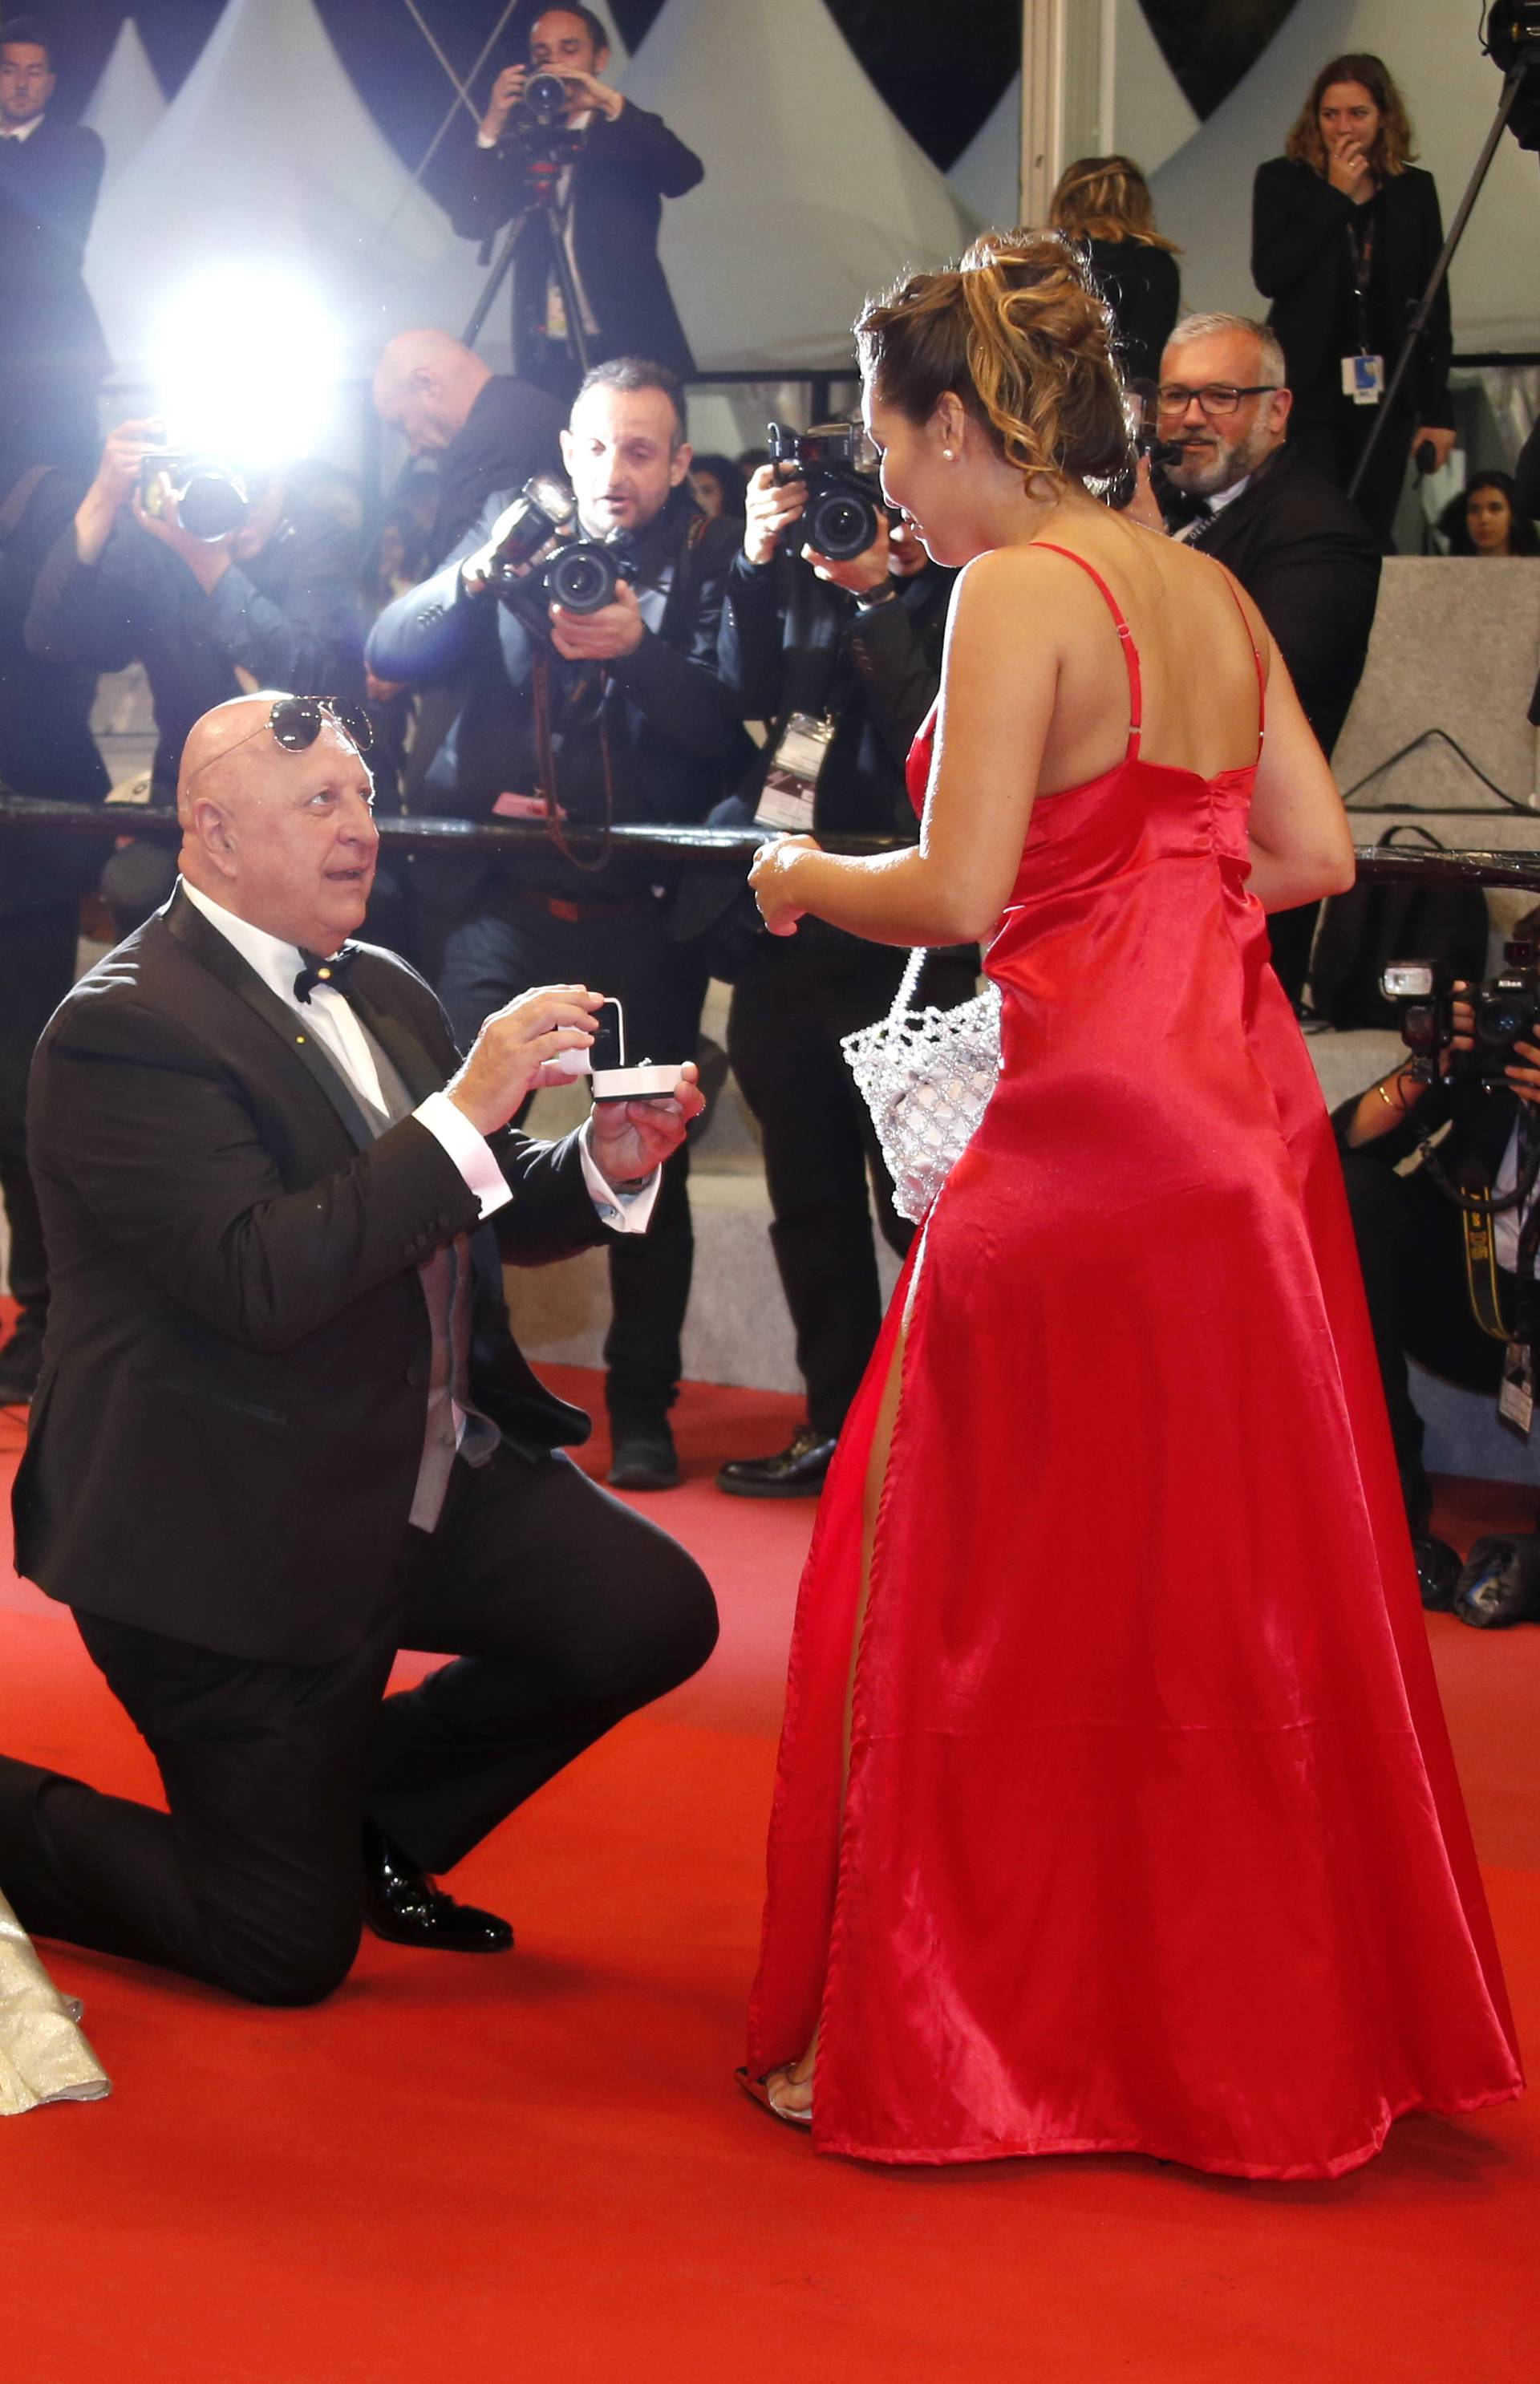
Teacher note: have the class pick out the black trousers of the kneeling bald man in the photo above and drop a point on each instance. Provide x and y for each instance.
(564, 1613)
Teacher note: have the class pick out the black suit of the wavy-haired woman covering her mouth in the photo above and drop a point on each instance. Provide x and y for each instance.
(1303, 249)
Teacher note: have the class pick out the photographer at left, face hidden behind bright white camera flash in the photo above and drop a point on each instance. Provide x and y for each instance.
(278, 600)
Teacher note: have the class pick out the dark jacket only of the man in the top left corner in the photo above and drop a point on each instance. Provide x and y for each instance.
(49, 190)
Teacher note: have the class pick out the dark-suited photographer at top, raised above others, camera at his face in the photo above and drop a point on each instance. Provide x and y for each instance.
(619, 166)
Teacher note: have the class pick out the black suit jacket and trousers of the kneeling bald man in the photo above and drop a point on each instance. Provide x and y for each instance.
(225, 1453)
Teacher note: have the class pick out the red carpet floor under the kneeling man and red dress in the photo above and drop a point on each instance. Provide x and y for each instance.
(542, 2171)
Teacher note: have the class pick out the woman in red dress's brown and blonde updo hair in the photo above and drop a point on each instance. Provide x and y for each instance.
(1022, 335)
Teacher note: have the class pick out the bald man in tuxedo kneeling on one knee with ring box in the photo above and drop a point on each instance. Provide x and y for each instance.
(285, 1429)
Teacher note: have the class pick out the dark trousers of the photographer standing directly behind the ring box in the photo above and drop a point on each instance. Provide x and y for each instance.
(495, 957)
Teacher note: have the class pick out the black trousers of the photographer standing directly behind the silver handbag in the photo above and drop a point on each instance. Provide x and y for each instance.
(793, 1002)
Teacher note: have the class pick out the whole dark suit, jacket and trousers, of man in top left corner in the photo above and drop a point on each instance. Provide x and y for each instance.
(54, 342)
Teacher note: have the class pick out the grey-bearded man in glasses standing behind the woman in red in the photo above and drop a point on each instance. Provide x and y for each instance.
(1291, 538)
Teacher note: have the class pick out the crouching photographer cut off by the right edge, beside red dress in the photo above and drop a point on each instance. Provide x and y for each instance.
(1412, 1243)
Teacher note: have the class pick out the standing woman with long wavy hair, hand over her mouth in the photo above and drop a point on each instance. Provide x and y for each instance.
(1346, 235)
